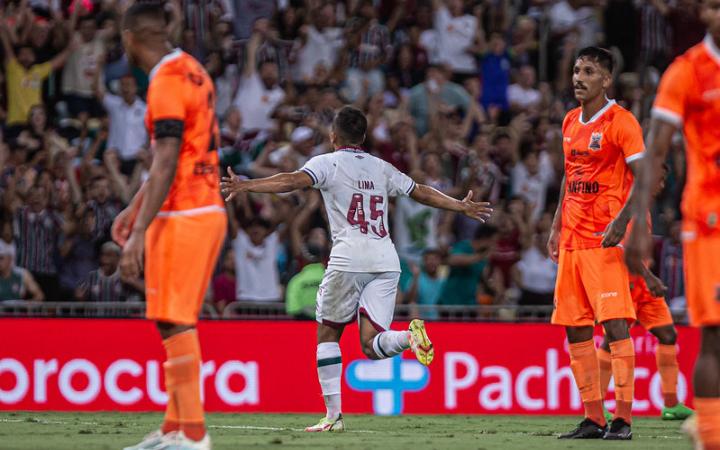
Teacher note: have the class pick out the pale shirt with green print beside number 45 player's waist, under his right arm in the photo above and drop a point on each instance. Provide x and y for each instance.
(415, 228)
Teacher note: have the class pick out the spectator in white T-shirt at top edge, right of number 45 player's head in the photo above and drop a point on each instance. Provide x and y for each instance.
(457, 34)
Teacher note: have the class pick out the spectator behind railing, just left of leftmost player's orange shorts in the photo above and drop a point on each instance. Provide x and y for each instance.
(105, 284)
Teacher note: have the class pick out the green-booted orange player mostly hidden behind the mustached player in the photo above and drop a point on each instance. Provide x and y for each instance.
(653, 314)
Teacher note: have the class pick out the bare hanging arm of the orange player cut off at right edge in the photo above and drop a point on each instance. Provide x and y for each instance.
(639, 243)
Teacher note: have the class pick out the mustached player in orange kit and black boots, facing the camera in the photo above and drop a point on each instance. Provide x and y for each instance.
(603, 145)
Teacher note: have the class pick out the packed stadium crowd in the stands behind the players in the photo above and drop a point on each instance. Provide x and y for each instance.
(461, 95)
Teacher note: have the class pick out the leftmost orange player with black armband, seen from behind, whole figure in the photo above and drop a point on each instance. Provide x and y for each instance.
(176, 224)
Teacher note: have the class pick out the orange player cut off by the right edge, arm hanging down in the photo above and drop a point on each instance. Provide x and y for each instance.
(688, 99)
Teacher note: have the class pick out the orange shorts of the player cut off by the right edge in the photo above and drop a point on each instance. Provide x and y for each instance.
(702, 276)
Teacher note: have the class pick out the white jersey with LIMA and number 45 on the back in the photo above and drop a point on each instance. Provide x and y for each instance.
(356, 188)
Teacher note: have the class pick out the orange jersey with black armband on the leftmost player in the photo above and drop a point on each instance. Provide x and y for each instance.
(181, 103)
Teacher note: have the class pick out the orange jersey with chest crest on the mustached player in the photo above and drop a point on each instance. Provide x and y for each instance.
(598, 178)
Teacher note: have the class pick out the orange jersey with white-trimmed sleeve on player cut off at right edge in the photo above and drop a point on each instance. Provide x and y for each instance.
(689, 97)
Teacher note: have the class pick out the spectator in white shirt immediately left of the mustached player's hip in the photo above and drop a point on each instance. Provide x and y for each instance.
(535, 274)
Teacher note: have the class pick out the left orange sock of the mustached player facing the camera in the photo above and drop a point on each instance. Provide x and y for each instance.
(584, 364)
